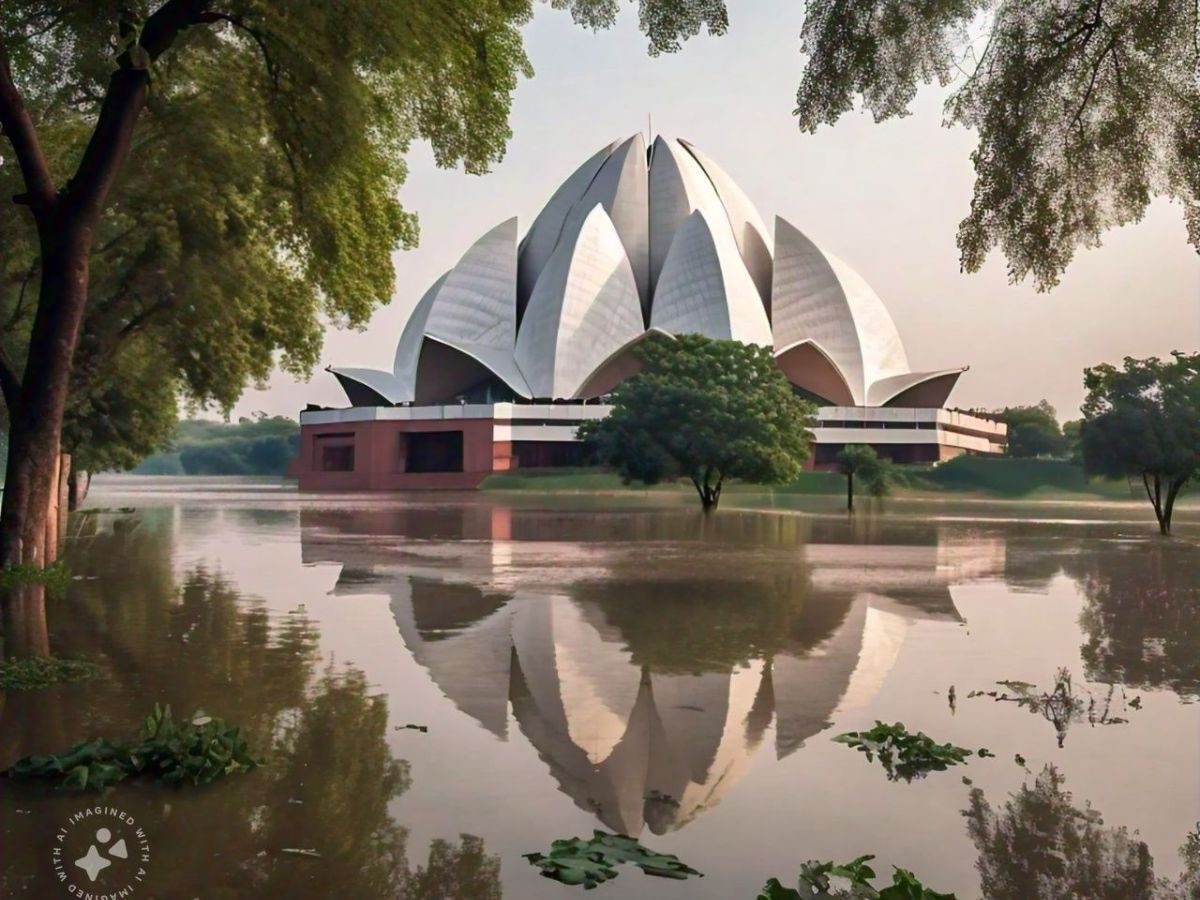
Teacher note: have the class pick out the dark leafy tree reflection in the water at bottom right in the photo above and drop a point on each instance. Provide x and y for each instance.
(1043, 848)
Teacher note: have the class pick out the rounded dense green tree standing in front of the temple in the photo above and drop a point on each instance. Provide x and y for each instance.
(707, 411)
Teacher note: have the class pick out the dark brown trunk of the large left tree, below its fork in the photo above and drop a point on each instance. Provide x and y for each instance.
(37, 424)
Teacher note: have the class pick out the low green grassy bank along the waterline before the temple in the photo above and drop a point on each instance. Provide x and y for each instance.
(965, 477)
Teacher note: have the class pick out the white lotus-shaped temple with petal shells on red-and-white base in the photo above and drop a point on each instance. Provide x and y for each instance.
(523, 340)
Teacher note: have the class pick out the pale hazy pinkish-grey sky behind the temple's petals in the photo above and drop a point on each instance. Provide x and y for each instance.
(886, 199)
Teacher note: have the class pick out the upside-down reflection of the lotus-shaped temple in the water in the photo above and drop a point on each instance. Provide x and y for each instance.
(649, 677)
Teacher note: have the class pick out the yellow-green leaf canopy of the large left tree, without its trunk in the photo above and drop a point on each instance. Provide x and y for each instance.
(260, 201)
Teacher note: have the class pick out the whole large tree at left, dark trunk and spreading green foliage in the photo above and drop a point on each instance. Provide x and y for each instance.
(214, 182)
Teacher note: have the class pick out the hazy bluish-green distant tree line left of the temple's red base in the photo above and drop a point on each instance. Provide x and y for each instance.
(249, 447)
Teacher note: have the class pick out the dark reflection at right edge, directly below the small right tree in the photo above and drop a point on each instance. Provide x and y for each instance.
(1143, 615)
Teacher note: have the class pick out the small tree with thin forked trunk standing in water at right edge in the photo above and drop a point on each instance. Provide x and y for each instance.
(1143, 422)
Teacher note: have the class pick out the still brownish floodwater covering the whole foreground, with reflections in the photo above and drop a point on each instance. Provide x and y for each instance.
(620, 664)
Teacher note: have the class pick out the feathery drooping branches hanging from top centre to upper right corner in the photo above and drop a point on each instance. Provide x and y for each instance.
(1084, 111)
